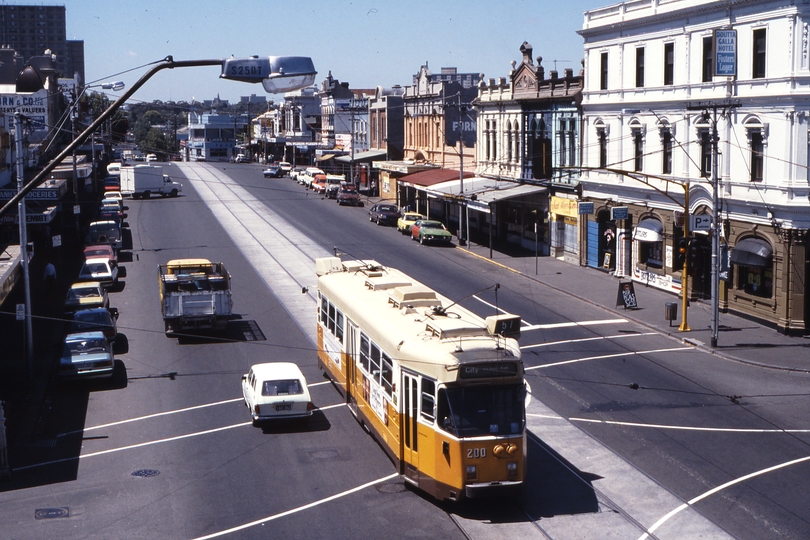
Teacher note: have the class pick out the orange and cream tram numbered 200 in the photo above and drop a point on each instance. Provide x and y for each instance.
(440, 388)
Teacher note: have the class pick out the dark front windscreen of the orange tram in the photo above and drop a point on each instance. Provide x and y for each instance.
(471, 411)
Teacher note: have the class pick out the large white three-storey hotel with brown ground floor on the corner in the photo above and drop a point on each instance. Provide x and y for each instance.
(658, 82)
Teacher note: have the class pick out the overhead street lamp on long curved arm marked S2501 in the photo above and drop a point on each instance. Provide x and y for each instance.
(276, 73)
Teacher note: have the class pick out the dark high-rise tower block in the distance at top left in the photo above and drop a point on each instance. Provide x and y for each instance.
(31, 30)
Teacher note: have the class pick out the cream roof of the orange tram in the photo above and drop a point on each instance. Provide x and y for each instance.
(412, 322)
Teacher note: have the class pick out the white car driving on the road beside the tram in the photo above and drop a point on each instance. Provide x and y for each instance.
(276, 390)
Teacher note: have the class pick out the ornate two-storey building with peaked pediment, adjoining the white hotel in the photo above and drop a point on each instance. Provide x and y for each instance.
(528, 133)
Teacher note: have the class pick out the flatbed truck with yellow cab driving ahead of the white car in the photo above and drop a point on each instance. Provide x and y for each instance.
(194, 294)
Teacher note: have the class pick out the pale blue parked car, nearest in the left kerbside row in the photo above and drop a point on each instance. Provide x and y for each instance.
(86, 354)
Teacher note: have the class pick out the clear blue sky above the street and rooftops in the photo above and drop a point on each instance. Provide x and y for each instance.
(366, 43)
